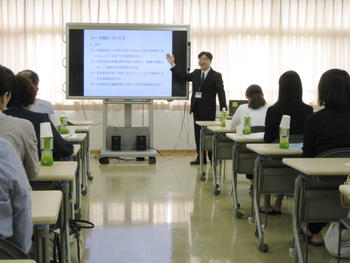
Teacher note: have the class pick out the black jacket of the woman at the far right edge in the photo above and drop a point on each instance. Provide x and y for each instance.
(325, 130)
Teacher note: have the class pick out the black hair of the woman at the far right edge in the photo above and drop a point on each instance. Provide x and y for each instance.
(334, 89)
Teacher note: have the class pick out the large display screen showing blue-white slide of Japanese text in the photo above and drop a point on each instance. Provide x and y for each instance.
(126, 61)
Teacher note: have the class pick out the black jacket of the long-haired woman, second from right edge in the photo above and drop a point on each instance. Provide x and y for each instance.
(273, 118)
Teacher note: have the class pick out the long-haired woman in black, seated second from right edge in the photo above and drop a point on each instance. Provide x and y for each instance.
(290, 103)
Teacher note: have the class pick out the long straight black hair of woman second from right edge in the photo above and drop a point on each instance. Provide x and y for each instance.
(290, 88)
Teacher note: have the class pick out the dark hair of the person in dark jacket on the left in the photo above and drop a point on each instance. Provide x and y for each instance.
(22, 94)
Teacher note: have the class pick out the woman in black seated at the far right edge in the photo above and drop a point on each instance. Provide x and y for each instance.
(329, 128)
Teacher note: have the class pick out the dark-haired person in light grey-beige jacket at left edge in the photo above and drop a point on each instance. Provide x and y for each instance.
(20, 133)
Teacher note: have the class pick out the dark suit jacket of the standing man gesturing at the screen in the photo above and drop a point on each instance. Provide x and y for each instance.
(212, 85)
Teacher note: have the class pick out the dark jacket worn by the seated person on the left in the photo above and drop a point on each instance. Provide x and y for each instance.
(61, 148)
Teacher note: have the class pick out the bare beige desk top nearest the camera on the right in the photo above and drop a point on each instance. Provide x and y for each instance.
(319, 166)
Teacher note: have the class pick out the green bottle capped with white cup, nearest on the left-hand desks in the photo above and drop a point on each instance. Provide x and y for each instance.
(46, 144)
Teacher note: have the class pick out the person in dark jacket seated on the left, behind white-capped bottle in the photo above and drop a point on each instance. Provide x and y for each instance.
(22, 99)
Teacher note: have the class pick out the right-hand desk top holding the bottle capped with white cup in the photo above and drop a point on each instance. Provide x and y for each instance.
(271, 149)
